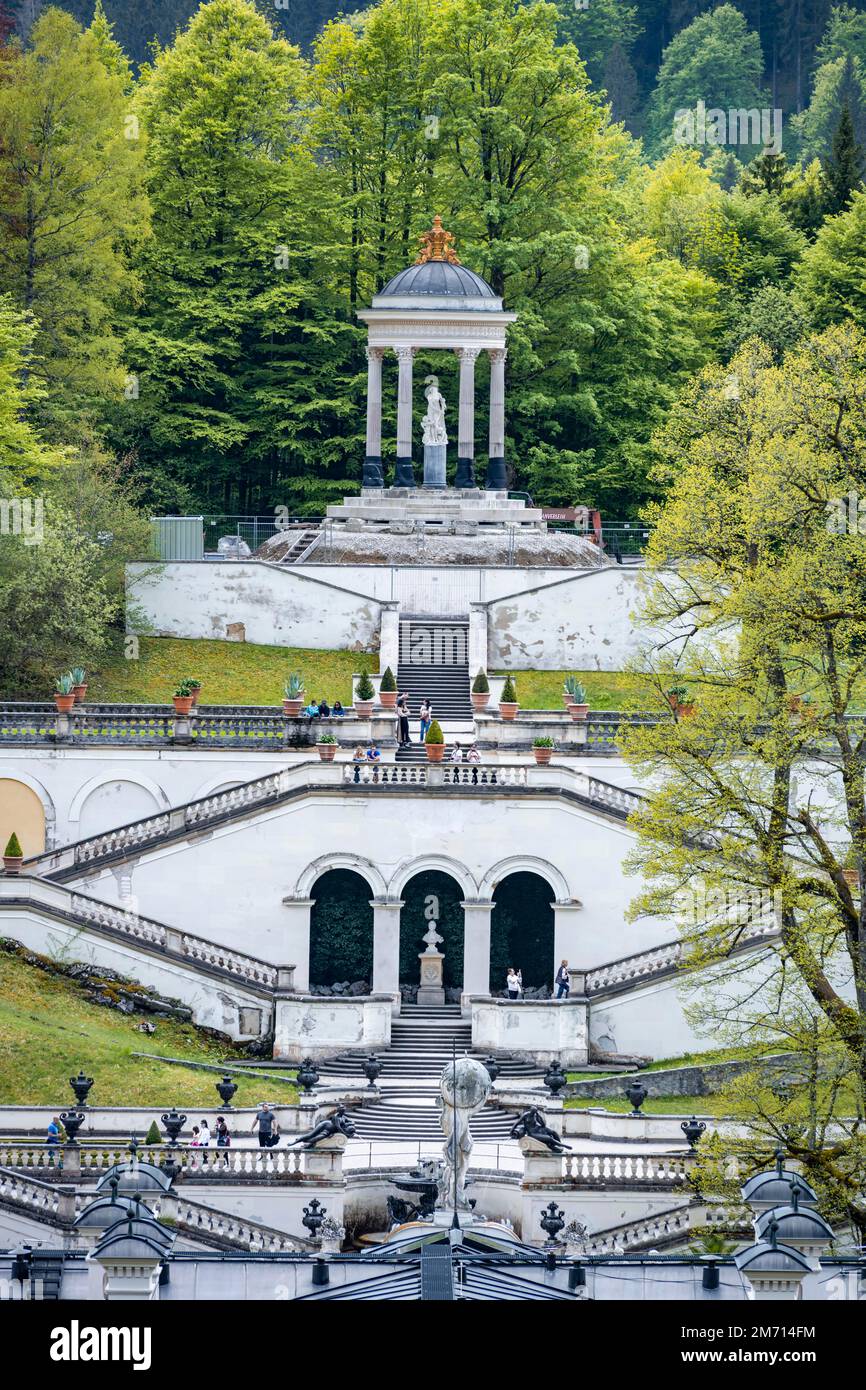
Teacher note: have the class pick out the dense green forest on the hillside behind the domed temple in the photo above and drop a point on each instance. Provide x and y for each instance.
(186, 238)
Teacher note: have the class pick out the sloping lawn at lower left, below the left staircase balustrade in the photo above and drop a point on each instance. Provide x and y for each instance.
(49, 1031)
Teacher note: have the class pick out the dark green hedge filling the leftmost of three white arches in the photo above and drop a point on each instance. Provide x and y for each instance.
(341, 929)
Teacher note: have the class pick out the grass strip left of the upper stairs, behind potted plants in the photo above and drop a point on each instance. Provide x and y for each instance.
(231, 673)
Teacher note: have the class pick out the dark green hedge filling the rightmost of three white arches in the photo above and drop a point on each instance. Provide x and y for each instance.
(522, 931)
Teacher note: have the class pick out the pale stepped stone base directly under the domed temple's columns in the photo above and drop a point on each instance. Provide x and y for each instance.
(436, 508)
